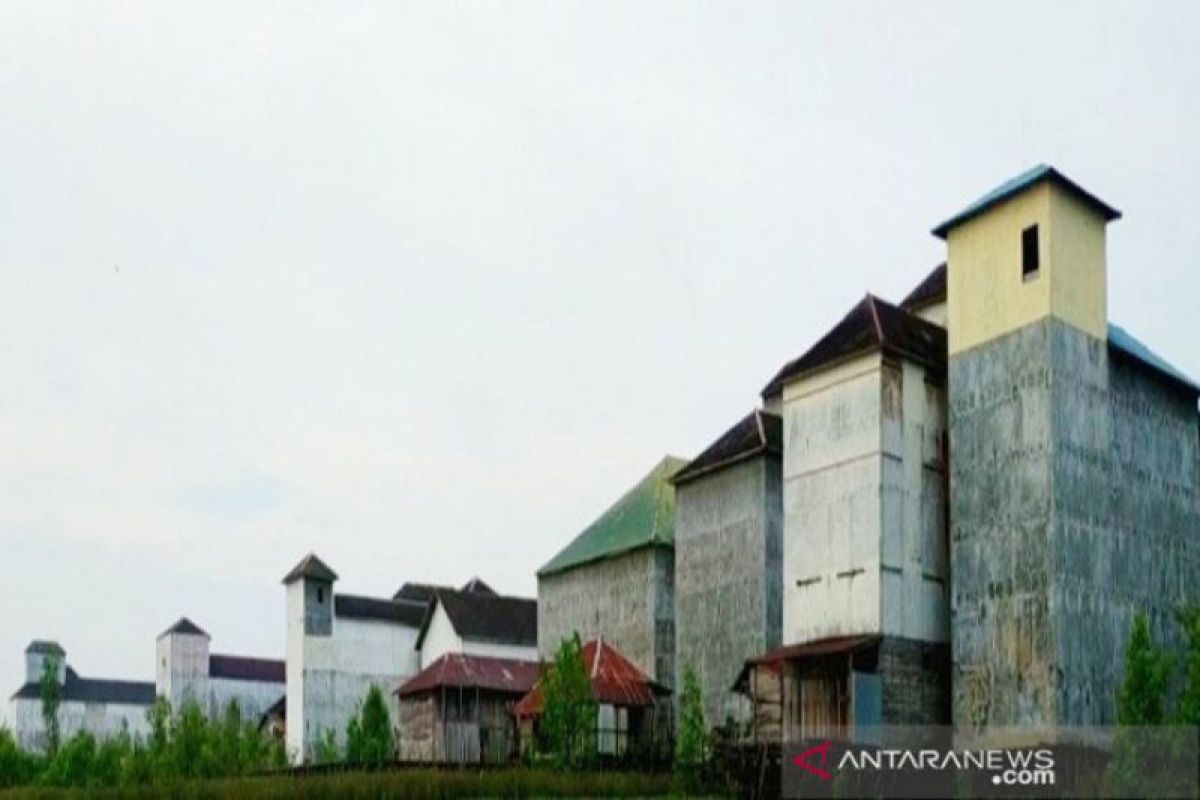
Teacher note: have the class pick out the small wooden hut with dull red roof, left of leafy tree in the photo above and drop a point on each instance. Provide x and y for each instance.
(459, 709)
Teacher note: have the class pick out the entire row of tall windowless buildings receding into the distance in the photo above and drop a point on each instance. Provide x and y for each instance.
(946, 510)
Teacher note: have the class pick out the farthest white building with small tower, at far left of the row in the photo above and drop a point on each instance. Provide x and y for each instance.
(104, 708)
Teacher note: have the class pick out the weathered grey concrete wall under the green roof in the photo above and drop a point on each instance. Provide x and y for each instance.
(629, 600)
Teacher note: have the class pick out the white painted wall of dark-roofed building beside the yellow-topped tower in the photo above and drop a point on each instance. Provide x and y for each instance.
(865, 528)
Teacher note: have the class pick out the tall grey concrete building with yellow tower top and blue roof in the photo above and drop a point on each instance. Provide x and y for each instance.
(1076, 462)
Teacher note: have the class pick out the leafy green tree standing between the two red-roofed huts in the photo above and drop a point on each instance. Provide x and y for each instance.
(569, 714)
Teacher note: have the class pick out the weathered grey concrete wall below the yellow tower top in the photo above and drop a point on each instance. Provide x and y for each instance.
(1075, 484)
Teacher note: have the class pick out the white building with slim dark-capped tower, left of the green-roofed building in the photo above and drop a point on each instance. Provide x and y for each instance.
(340, 646)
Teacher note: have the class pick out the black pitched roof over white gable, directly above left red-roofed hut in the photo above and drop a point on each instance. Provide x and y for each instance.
(485, 618)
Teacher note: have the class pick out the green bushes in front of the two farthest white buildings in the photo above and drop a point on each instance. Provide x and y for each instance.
(187, 745)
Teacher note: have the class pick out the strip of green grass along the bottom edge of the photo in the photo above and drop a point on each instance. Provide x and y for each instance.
(391, 785)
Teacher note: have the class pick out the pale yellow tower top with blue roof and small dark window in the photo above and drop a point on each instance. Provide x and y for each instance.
(1031, 249)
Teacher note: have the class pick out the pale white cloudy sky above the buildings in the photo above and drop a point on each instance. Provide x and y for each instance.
(424, 287)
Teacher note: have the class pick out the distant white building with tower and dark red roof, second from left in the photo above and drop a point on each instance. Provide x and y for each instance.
(187, 671)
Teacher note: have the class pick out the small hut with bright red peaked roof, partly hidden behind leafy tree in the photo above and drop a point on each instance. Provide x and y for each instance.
(633, 715)
